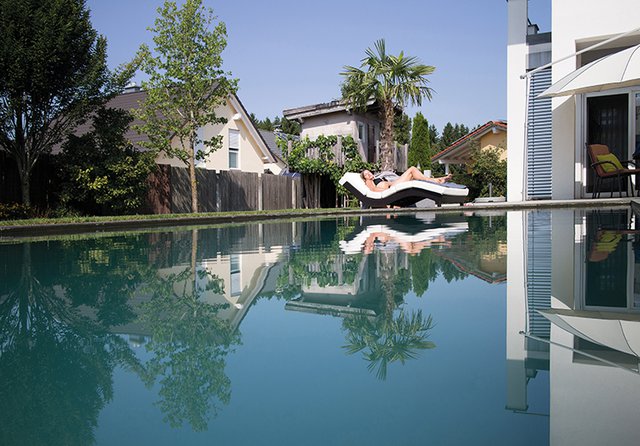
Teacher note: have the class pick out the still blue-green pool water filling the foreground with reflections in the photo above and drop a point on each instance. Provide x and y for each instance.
(385, 329)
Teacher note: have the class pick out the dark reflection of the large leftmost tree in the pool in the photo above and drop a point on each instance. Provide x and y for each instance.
(56, 362)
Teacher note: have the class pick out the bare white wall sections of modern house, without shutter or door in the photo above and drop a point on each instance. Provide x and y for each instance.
(576, 24)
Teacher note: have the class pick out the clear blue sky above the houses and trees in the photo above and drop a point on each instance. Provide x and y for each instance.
(288, 54)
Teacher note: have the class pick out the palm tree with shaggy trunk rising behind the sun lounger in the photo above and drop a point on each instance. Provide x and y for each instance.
(393, 81)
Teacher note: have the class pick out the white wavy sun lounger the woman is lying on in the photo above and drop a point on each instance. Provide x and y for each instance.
(403, 194)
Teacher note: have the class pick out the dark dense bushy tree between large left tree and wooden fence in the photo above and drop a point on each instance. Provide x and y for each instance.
(102, 172)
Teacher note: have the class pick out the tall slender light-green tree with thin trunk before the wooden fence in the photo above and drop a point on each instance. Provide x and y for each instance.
(186, 84)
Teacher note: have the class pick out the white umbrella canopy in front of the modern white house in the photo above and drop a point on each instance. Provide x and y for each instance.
(621, 69)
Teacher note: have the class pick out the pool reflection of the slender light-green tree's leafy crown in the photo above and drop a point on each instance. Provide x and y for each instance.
(189, 343)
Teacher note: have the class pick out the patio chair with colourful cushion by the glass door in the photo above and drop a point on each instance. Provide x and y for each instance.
(607, 166)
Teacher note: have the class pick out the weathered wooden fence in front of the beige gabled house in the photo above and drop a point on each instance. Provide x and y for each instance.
(221, 191)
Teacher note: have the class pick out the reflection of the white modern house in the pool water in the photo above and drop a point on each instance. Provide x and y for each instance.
(575, 273)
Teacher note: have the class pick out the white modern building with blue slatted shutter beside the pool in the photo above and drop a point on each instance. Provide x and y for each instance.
(547, 137)
